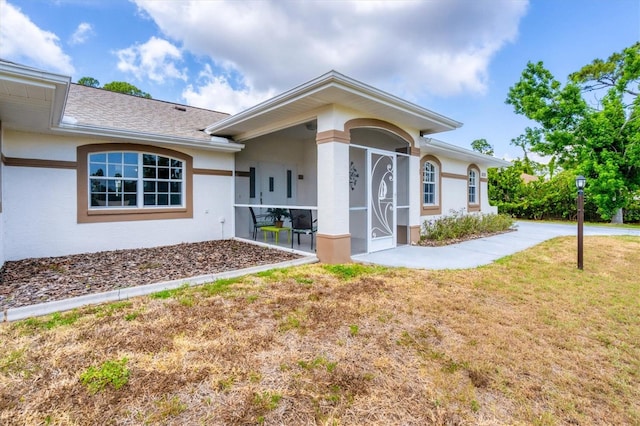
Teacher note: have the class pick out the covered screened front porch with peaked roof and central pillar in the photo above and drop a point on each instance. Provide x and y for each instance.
(340, 150)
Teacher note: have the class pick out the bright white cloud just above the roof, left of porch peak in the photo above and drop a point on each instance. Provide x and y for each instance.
(216, 92)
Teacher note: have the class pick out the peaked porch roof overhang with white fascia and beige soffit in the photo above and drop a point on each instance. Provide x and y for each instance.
(332, 88)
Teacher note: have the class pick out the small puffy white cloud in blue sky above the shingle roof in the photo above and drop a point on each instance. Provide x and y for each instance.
(157, 60)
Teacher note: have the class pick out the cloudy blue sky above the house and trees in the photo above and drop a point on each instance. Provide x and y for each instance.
(455, 57)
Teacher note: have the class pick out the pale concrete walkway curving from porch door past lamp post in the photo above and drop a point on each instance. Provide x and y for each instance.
(482, 251)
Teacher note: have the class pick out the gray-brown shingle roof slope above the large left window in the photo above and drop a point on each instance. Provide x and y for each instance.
(88, 106)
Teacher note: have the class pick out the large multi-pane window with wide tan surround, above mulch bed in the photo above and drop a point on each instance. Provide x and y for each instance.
(118, 182)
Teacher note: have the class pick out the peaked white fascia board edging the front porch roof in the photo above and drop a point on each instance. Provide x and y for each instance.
(333, 79)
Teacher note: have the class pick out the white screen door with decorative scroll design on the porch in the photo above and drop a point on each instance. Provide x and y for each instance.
(382, 200)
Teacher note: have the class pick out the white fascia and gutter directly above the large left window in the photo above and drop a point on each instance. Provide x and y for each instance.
(146, 137)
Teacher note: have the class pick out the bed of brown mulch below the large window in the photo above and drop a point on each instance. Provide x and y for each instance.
(30, 281)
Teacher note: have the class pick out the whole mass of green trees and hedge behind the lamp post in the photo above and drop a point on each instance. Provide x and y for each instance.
(588, 126)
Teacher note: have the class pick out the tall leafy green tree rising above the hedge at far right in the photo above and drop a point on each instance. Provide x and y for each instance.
(597, 136)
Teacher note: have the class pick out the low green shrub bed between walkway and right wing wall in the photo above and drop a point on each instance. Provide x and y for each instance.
(459, 225)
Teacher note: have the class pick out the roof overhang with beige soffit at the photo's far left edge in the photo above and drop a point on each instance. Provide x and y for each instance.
(31, 99)
